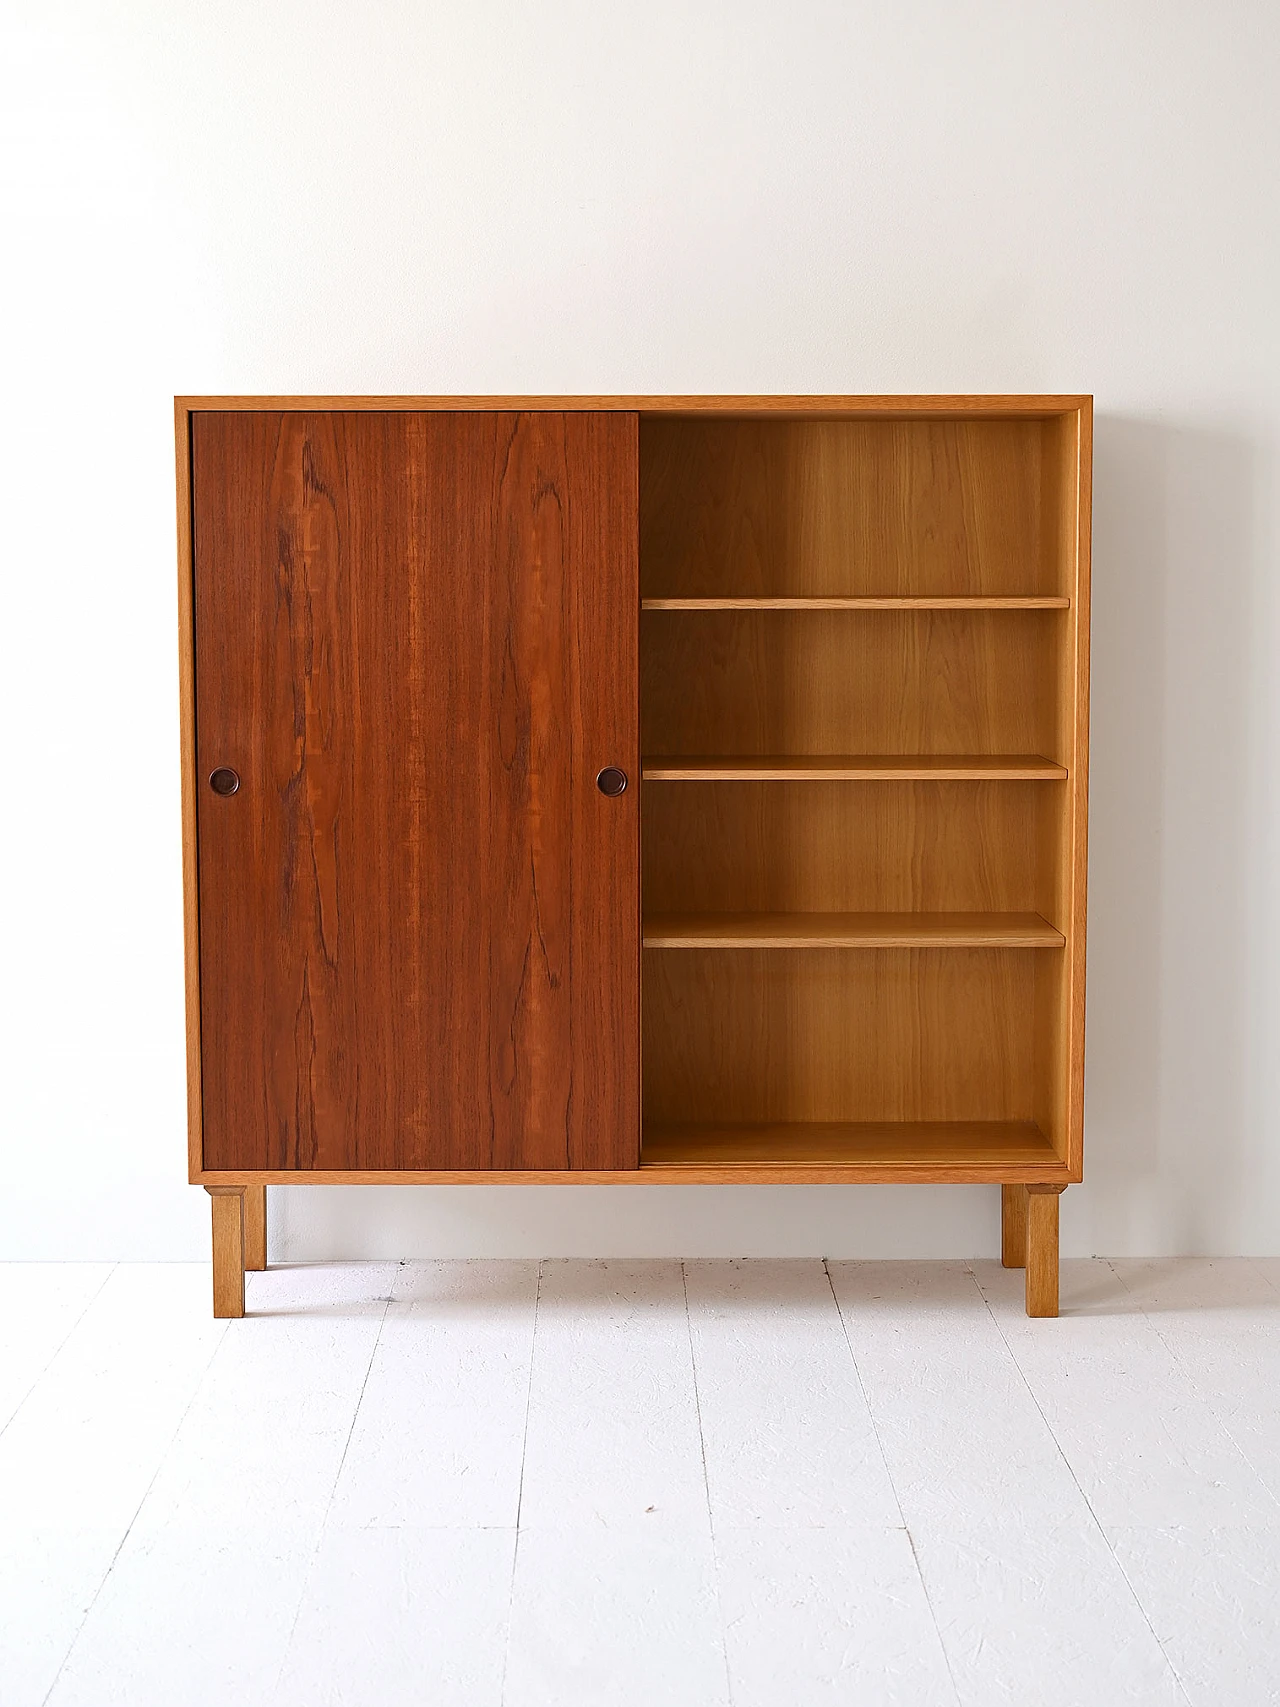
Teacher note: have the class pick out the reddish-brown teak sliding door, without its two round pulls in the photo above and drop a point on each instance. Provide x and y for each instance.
(419, 919)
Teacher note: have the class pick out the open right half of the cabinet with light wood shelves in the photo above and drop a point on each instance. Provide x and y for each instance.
(863, 660)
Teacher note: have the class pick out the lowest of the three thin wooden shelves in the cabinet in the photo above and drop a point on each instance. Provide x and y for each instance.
(851, 931)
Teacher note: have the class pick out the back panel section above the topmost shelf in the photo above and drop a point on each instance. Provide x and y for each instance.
(806, 508)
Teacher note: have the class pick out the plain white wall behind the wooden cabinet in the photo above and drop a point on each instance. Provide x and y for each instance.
(931, 195)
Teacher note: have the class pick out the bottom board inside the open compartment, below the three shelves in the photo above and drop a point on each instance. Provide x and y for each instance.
(922, 1151)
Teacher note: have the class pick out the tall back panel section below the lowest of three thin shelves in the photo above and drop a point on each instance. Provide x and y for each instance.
(841, 1035)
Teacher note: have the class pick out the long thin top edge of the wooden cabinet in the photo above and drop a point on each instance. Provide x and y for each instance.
(941, 407)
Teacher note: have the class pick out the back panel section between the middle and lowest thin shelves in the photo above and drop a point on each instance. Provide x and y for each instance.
(834, 848)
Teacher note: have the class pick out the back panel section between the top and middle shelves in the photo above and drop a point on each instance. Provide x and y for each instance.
(849, 682)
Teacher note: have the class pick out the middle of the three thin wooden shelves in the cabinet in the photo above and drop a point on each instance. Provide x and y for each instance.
(854, 767)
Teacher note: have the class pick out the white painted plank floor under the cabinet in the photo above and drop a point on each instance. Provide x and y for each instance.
(765, 1484)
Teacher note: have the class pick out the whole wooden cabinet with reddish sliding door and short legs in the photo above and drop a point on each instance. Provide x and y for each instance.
(830, 933)
